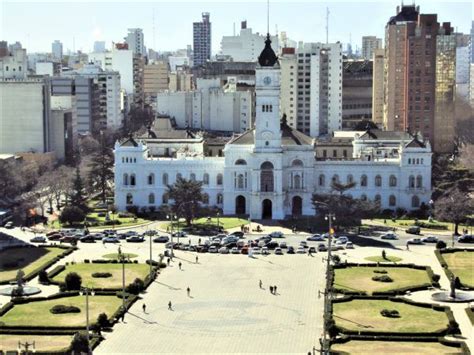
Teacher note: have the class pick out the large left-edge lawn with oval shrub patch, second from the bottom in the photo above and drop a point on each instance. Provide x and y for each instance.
(38, 314)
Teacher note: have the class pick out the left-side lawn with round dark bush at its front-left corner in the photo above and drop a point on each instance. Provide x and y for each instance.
(132, 271)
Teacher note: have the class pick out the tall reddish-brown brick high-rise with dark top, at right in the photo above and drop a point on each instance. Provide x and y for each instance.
(412, 73)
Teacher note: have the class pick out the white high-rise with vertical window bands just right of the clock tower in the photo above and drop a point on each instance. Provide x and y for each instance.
(318, 88)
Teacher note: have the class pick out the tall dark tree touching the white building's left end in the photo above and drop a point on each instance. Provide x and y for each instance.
(101, 169)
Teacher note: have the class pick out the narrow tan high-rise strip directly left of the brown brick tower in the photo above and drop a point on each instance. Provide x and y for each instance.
(377, 87)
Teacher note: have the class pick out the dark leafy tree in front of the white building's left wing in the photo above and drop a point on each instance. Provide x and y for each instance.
(187, 195)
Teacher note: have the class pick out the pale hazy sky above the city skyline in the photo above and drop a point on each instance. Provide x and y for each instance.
(36, 24)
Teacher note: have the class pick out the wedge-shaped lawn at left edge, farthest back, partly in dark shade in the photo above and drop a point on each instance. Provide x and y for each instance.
(28, 259)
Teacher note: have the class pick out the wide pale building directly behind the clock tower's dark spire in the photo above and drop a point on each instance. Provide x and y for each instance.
(245, 47)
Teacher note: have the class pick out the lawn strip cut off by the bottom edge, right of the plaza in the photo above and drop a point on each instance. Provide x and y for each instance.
(394, 347)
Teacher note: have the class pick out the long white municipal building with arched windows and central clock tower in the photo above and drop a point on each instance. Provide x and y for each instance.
(270, 171)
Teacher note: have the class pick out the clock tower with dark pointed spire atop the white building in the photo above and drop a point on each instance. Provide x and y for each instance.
(267, 92)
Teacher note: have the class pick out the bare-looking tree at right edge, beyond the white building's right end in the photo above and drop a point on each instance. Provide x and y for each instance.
(454, 206)
